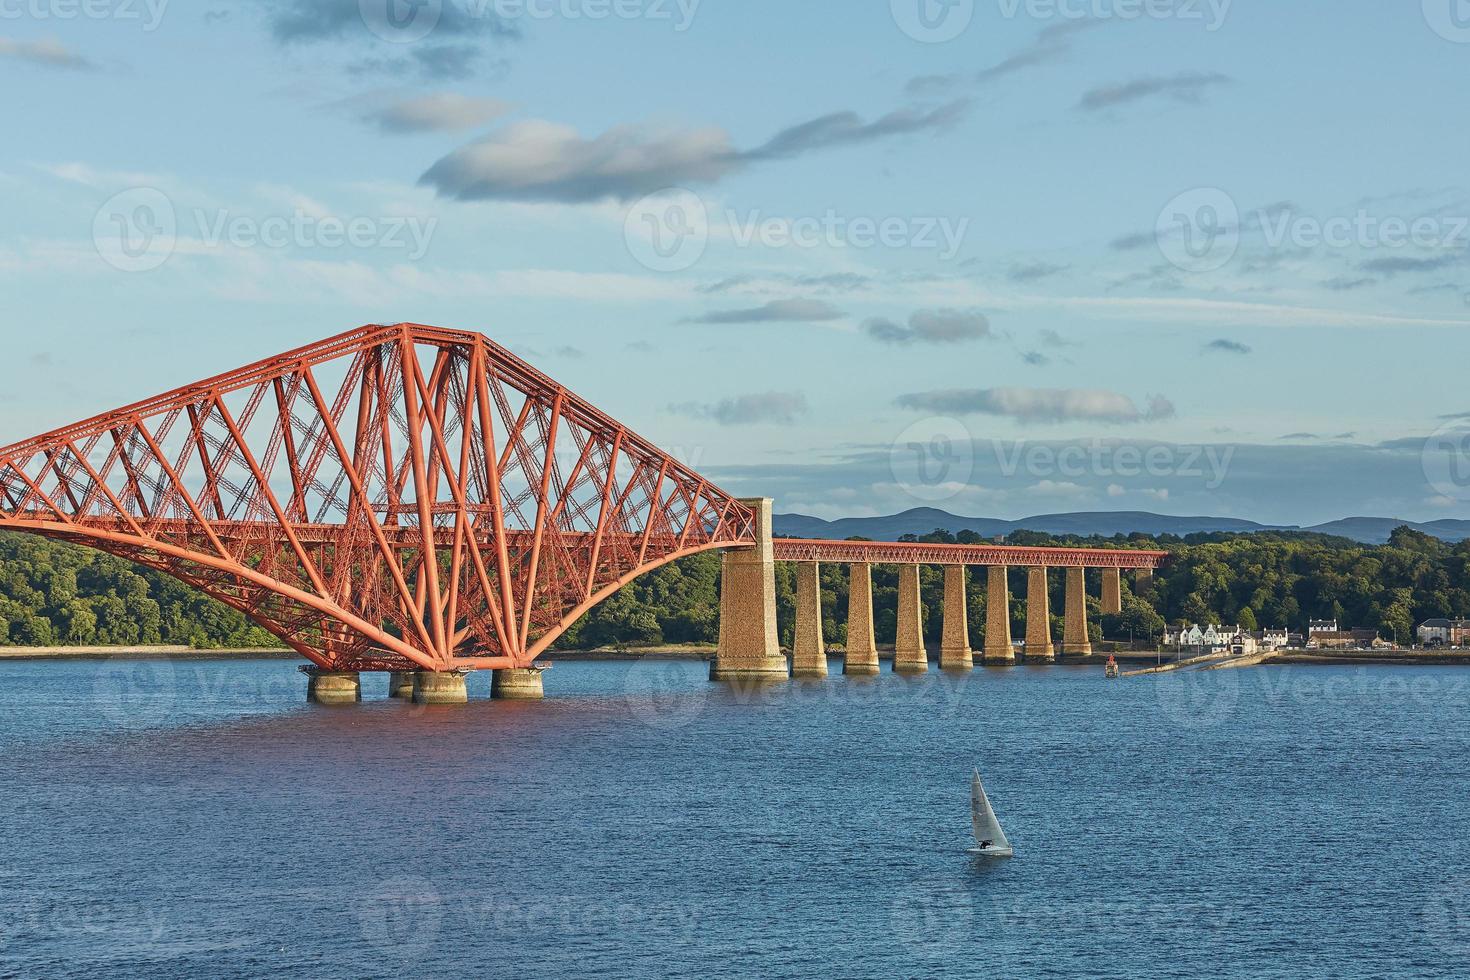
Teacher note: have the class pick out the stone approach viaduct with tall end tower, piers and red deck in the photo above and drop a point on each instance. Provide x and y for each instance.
(749, 641)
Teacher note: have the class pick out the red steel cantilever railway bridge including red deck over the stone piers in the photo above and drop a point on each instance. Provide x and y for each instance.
(402, 499)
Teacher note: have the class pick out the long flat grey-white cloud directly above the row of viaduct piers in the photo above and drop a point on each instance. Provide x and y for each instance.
(1041, 405)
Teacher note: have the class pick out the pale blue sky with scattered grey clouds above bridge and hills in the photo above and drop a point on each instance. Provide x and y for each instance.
(1005, 258)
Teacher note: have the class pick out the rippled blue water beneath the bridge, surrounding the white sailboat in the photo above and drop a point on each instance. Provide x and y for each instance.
(189, 821)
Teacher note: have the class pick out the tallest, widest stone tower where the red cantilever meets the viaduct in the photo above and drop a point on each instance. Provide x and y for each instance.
(750, 649)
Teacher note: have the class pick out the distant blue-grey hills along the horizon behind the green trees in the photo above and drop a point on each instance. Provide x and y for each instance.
(921, 521)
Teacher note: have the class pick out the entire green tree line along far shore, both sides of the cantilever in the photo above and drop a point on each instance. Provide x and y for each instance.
(65, 596)
